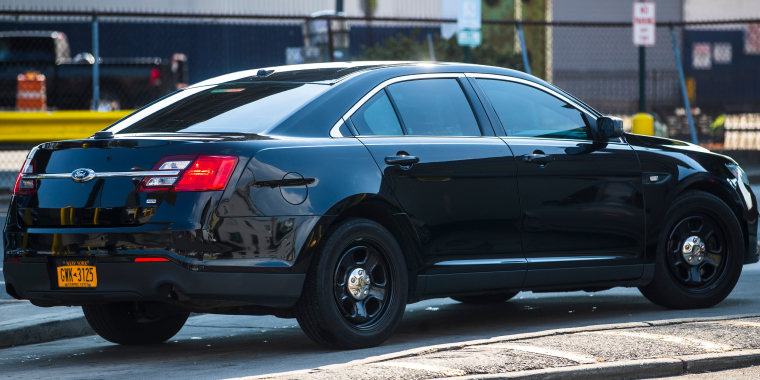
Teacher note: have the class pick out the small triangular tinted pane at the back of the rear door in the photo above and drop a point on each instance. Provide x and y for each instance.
(377, 117)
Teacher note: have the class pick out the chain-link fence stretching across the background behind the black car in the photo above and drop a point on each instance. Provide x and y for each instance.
(142, 57)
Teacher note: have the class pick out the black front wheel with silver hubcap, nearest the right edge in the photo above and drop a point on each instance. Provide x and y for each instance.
(712, 274)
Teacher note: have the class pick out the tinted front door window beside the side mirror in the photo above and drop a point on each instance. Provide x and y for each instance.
(525, 111)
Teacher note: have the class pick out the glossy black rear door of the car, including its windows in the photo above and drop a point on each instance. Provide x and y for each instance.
(457, 184)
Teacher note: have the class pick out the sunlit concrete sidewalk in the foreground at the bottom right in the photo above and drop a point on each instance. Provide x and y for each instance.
(616, 351)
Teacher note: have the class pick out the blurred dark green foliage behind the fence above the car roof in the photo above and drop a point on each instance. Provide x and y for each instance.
(415, 48)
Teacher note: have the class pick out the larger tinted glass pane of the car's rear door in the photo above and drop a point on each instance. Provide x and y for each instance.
(434, 107)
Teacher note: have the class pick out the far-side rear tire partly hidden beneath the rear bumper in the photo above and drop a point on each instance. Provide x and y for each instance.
(122, 323)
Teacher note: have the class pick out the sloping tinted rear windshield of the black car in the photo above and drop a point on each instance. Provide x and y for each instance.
(228, 108)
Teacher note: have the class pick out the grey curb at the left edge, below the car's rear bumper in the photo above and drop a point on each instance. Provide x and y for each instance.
(45, 332)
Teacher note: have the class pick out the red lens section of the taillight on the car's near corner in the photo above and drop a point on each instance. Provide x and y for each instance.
(207, 173)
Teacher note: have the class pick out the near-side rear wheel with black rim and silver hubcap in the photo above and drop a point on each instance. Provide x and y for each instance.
(329, 312)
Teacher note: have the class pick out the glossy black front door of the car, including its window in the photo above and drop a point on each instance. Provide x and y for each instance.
(583, 216)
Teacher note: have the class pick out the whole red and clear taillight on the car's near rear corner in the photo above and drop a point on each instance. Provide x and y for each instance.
(196, 173)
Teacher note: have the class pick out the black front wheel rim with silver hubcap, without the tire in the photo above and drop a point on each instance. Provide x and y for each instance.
(697, 252)
